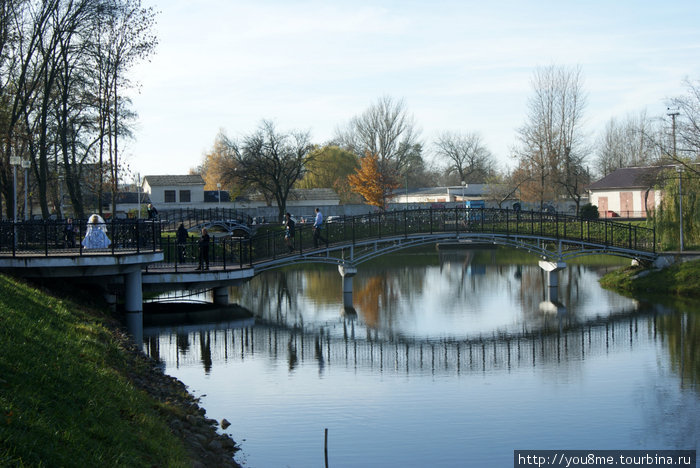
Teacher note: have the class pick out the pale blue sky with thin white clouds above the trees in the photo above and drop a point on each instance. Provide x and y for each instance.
(459, 66)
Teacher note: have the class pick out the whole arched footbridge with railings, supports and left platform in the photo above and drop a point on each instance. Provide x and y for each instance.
(39, 249)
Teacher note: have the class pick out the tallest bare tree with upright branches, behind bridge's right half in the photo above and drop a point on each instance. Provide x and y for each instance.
(552, 147)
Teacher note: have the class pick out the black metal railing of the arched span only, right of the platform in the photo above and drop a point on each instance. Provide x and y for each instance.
(350, 230)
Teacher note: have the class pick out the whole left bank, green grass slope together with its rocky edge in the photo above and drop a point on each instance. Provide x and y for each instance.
(74, 383)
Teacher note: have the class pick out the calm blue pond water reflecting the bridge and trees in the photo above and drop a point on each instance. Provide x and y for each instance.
(451, 359)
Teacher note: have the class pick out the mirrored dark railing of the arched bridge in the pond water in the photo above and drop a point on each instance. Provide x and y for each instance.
(347, 344)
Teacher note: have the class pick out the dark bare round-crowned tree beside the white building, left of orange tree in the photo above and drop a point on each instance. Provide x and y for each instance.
(271, 161)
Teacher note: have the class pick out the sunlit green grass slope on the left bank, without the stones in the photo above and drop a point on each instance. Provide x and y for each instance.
(65, 395)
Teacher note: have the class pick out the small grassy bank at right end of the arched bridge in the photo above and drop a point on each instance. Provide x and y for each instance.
(679, 280)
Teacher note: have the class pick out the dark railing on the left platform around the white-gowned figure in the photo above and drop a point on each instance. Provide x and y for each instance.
(56, 238)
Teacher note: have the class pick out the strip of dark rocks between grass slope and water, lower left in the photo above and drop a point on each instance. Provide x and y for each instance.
(185, 417)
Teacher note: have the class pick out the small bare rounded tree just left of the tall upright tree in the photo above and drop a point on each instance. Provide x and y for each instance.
(467, 157)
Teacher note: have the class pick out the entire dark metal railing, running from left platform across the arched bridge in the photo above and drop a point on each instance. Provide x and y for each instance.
(51, 238)
